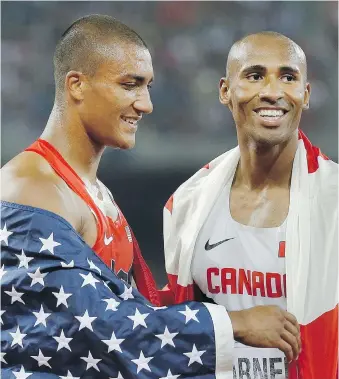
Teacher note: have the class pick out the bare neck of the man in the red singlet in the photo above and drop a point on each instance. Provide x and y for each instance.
(66, 133)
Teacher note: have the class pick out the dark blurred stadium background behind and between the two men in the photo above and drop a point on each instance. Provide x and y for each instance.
(189, 42)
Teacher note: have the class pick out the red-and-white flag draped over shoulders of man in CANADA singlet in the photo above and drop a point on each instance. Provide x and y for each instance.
(311, 248)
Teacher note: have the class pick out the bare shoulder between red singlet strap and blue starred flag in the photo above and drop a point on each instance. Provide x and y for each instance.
(28, 179)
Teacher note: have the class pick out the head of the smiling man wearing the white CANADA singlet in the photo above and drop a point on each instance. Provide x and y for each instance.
(266, 90)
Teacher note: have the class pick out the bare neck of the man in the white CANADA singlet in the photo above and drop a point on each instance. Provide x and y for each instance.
(264, 166)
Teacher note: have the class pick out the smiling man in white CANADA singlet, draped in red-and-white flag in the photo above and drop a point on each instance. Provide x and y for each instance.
(256, 229)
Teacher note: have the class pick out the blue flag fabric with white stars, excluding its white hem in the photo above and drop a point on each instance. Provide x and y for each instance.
(64, 313)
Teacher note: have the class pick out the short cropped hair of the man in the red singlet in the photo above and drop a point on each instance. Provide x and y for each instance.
(80, 45)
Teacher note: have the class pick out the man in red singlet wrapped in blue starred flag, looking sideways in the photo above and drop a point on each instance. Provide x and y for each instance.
(65, 243)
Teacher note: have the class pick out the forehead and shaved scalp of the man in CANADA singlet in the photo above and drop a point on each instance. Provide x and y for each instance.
(269, 52)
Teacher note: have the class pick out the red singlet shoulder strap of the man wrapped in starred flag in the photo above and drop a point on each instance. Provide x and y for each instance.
(66, 172)
